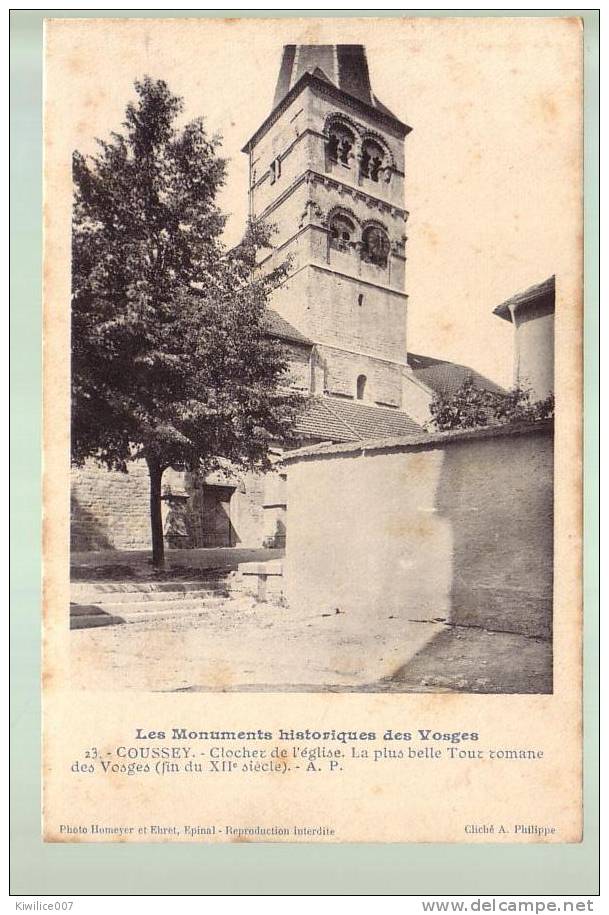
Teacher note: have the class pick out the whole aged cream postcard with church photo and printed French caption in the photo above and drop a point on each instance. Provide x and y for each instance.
(312, 430)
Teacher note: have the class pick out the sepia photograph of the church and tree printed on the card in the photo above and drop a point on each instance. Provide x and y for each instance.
(312, 370)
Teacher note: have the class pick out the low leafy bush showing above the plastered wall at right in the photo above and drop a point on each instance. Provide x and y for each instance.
(471, 406)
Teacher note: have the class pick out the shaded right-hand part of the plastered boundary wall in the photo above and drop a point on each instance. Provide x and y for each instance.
(497, 495)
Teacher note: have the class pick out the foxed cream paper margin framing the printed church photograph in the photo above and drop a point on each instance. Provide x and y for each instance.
(550, 722)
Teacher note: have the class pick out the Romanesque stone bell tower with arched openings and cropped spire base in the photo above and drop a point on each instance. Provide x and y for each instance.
(326, 169)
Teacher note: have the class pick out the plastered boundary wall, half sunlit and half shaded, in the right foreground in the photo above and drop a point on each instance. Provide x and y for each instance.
(457, 526)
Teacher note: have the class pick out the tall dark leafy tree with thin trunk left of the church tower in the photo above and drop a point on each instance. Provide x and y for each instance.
(170, 360)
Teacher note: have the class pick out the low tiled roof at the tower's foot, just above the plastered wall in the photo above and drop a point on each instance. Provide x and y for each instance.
(336, 420)
